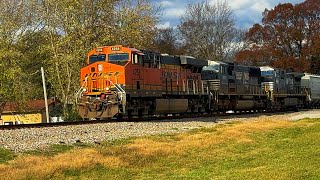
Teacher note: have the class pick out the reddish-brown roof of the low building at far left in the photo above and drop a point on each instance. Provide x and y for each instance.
(32, 105)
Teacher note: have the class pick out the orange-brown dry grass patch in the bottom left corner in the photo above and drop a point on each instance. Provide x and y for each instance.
(45, 167)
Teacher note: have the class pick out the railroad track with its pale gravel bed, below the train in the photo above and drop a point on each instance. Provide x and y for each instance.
(23, 138)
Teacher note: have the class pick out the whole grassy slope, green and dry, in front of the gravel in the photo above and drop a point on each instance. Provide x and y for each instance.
(262, 149)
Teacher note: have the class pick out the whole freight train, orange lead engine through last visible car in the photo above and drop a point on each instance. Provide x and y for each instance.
(122, 81)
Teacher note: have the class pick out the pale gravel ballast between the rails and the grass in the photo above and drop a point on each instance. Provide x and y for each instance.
(20, 140)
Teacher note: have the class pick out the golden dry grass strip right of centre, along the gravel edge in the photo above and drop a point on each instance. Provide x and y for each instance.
(238, 131)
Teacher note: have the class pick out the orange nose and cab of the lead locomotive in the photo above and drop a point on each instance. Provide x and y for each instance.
(102, 93)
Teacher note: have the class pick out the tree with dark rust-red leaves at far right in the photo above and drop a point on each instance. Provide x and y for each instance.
(287, 38)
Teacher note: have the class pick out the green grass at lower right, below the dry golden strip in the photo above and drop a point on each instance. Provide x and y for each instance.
(286, 153)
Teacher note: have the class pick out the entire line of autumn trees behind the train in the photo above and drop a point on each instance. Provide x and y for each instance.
(57, 34)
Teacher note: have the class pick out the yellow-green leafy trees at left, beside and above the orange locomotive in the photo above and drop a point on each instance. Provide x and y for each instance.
(57, 34)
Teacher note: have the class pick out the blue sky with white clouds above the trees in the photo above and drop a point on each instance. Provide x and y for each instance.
(247, 12)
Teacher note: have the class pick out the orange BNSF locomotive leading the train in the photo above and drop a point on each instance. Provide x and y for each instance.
(122, 81)
